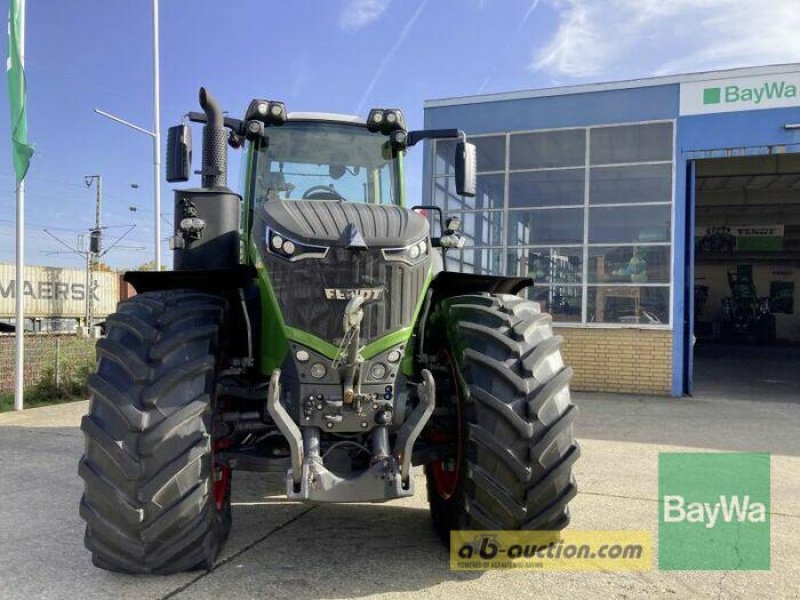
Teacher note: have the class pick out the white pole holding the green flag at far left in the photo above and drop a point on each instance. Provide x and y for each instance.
(19, 320)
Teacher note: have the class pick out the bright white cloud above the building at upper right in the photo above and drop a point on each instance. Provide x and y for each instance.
(612, 38)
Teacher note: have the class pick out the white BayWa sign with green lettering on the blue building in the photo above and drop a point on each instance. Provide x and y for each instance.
(743, 93)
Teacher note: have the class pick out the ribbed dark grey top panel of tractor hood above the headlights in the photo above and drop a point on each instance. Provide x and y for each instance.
(336, 223)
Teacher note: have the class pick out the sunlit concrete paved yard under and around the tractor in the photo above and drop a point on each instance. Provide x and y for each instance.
(280, 549)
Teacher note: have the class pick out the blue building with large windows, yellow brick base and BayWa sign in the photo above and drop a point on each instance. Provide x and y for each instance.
(593, 192)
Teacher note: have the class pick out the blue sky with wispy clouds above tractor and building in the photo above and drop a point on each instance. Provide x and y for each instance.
(324, 55)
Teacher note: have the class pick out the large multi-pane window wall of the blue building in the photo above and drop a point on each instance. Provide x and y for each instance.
(594, 235)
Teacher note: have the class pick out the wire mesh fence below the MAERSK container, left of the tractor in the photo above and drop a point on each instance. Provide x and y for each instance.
(59, 359)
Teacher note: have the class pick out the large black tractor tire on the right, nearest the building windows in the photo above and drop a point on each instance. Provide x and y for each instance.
(516, 444)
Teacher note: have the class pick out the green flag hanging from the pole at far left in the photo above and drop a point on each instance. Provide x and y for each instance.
(15, 72)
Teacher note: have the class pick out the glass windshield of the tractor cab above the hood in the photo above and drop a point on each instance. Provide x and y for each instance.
(318, 160)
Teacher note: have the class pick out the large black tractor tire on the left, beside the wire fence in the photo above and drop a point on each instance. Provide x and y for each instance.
(153, 500)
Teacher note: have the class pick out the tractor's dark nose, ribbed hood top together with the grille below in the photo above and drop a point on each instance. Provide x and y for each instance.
(345, 254)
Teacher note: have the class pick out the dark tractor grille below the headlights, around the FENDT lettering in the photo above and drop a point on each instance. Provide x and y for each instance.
(301, 287)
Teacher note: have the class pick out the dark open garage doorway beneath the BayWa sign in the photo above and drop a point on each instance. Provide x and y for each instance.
(746, 277)
